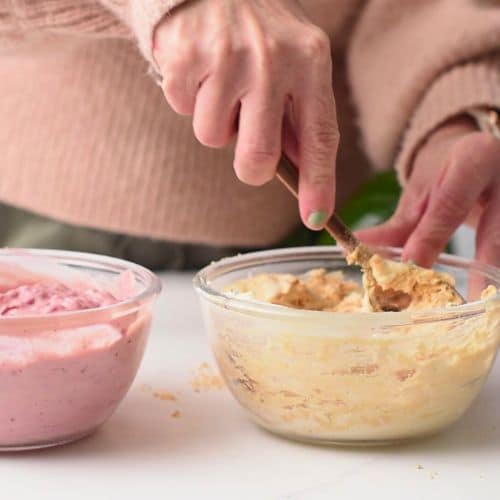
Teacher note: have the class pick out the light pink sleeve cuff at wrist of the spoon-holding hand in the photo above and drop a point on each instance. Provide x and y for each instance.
(145, 16)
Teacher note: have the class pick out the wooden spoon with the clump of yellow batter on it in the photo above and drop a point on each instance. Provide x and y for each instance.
(389, 285)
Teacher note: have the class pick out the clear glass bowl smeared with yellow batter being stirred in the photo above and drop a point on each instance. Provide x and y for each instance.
(349, 378)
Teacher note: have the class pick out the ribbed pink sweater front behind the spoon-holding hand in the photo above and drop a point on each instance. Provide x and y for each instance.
(135, 167)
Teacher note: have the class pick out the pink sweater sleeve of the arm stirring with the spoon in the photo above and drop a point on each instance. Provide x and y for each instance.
(106, 18)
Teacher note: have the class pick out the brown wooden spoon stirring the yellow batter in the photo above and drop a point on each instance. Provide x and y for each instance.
(380, 299)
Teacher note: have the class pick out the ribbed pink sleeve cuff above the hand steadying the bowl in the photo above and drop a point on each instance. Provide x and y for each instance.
(476, 83)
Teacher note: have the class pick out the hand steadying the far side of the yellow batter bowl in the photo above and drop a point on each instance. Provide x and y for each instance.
(455, 179)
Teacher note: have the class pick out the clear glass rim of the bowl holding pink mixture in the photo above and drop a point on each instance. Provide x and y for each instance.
(151, 289)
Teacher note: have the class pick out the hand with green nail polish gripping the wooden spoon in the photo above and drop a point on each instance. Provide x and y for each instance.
(262, 70)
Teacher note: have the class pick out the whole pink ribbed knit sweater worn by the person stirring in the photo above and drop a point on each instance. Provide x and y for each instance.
(87, 138)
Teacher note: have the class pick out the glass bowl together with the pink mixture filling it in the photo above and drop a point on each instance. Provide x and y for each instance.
(73, 329)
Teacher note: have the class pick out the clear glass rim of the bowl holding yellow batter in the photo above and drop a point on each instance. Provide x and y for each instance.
(201, 283)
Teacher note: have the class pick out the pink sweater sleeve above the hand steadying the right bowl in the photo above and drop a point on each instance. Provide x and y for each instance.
(413, 65)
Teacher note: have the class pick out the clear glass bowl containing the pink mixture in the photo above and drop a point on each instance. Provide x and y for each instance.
(63, 374)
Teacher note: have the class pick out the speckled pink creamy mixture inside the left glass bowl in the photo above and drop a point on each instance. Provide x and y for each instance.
(60, 380)
